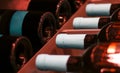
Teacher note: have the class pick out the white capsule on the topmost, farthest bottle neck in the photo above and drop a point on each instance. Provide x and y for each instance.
(98, 9)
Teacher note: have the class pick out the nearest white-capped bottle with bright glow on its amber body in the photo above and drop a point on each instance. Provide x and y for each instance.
(99, 58)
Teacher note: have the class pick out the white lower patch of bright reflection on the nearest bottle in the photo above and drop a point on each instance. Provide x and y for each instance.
(114, 58)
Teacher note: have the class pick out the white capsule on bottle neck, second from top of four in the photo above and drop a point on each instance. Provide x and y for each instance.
(85, 23)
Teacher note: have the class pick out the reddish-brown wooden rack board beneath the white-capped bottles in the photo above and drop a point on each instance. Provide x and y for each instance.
(51, 48)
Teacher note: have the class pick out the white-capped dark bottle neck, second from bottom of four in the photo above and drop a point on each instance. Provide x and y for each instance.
(78, 41)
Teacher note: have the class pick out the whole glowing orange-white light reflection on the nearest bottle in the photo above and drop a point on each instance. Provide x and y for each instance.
(113, 54)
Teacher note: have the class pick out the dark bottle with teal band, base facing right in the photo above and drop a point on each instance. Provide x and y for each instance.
(39, 27)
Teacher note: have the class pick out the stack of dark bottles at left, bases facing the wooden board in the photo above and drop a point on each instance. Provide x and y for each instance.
(25, 31)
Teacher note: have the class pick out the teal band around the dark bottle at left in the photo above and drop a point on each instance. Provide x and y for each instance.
(16, 23)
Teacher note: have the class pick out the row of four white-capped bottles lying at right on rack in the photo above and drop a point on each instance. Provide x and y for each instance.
(101, 51)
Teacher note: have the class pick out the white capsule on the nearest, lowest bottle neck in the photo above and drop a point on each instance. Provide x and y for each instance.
(52, 62)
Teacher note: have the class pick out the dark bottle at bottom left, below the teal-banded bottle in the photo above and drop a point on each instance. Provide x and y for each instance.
(15, 52)
